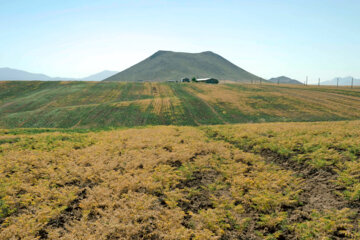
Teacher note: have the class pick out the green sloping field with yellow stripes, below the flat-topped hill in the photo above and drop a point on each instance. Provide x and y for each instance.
(112, 104)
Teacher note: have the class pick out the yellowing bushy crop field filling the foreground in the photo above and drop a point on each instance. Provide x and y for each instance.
(241, 181)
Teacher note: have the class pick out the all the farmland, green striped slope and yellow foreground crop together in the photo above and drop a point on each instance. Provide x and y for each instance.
(95, 160)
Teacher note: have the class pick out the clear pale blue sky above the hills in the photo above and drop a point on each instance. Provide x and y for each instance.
(269, 38)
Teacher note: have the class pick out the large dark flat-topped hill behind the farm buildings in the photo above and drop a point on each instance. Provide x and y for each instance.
(168, 65)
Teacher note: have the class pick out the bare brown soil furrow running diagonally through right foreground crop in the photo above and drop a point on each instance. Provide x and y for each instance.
(319, 191)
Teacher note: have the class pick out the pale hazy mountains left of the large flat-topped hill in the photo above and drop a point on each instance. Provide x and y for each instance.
(9, 74)
